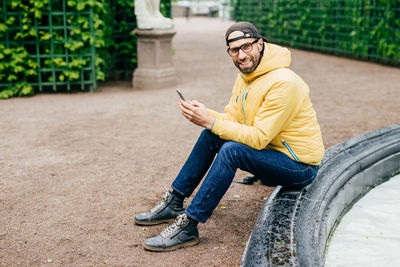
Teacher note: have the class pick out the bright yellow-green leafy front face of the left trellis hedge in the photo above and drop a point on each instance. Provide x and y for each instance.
(47, 44)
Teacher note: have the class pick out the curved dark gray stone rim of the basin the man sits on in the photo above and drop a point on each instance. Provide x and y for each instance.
(294, 226)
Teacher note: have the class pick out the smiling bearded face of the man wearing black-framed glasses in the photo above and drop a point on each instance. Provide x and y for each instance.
(246, 62)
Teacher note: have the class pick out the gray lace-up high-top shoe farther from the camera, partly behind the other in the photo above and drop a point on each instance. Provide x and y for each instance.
(165, 211)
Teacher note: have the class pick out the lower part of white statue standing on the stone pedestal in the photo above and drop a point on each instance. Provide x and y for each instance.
(148, 15)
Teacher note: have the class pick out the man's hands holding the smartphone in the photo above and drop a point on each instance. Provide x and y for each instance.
(197, 113)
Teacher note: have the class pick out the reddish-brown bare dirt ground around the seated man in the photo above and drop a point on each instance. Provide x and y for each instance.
(76, 168)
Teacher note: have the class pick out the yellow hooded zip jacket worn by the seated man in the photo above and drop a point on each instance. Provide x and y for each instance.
(270, 109)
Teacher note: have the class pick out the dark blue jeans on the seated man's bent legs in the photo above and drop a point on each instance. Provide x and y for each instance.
(272, 167)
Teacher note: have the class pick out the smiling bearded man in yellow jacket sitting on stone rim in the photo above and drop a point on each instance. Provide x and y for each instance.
(269, 128)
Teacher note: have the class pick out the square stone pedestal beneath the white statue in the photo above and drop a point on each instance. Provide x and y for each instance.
(155, 69)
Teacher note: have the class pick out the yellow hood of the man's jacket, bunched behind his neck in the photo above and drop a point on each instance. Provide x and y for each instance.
(274, 57)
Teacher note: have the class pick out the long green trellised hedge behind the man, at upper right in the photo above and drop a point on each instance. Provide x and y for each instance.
(363, 29)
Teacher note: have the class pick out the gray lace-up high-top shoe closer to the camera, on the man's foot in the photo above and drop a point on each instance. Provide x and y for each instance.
(182, 233)
